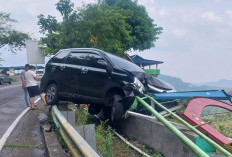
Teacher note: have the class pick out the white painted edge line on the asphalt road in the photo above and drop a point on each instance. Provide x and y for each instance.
(13, 125)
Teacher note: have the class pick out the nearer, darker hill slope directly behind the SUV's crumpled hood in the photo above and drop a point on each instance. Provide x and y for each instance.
(180, 85)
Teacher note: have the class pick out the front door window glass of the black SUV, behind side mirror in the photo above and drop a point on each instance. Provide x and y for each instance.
(92, 61)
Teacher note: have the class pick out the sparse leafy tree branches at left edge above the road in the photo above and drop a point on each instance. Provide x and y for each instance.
(9, 36)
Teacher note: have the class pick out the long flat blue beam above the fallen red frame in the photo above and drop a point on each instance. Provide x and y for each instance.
(214, 94)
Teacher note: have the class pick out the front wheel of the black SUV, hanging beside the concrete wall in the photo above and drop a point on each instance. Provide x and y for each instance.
(117, 109)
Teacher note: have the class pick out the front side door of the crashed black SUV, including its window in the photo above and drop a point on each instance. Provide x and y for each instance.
(96, 76)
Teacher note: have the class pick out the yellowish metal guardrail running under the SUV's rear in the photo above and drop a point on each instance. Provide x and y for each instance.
(76, 144)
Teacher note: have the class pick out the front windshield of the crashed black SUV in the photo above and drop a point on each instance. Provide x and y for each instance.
(124, 64)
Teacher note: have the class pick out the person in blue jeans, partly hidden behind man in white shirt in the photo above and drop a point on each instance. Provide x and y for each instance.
(24, 86)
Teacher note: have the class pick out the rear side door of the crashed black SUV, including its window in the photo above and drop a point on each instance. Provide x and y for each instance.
(75, 67)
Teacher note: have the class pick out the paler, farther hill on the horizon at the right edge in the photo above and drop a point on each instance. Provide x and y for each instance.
(221, 83)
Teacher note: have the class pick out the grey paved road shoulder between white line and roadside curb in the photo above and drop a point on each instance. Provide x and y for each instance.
(27, 133)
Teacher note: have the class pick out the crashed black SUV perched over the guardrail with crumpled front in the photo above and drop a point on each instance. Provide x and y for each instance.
(91, 76)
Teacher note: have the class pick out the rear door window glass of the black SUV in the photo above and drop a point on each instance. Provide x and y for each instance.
(77, 58)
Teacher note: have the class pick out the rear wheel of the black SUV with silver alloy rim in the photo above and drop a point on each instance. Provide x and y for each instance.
(51, 94)
